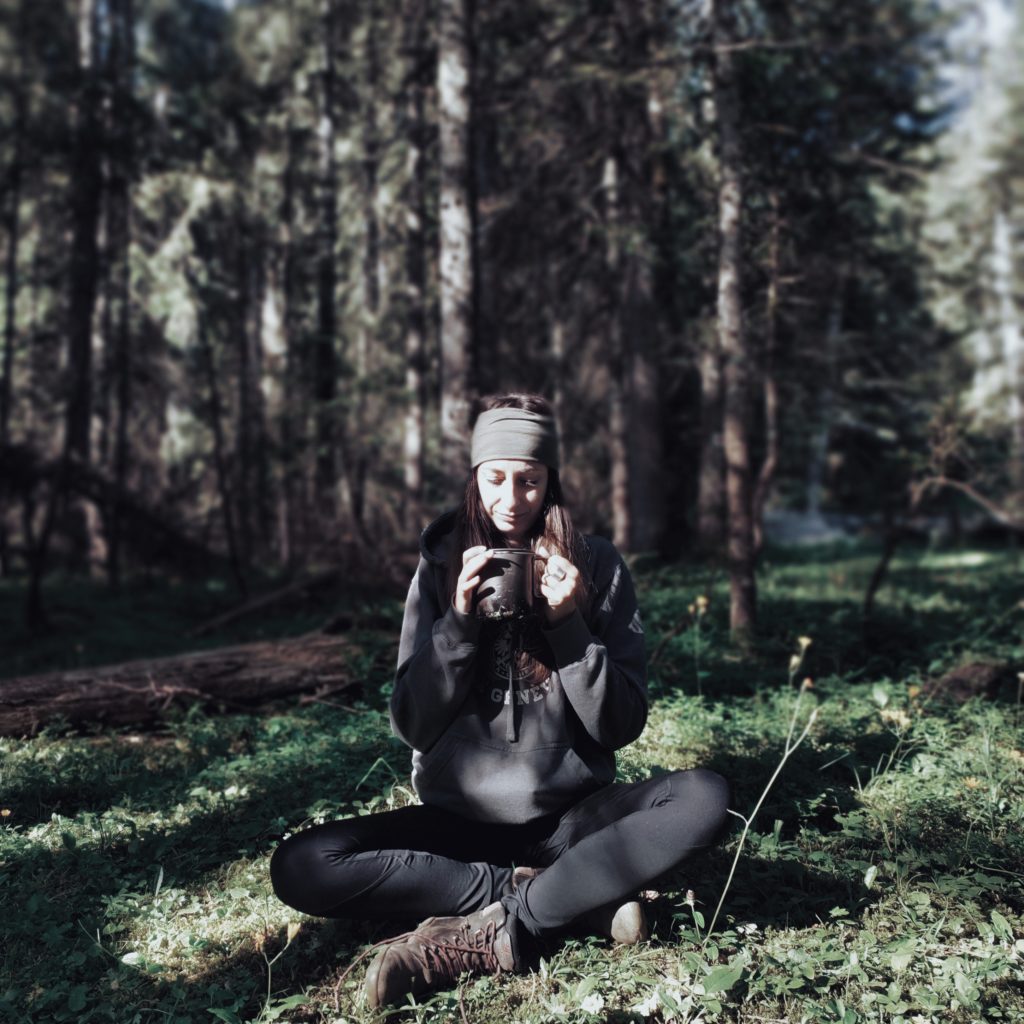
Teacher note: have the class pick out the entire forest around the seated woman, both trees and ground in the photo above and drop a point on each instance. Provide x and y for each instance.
(261, 261)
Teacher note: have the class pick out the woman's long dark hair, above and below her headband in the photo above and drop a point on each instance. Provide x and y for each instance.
(553, 529)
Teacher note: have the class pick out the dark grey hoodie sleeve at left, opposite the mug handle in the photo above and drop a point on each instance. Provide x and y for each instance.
(437, 657)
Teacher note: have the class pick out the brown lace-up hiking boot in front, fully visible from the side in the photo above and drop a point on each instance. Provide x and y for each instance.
(438, 953)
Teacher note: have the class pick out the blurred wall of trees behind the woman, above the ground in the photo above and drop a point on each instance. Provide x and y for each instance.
(260, 260)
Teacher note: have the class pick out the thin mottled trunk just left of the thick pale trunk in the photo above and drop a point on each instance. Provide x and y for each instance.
(416, 269)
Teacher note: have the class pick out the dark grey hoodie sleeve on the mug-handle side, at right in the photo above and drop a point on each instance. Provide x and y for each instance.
(604, 668)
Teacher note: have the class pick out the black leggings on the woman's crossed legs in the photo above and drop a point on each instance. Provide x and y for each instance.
(420, 862)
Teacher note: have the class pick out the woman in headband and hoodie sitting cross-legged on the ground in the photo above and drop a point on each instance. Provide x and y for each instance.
(522, 831)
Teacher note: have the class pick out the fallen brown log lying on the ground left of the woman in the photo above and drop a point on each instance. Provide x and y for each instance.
(138, 693)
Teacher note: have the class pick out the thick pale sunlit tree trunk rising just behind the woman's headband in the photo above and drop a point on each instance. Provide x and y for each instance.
(457, 238)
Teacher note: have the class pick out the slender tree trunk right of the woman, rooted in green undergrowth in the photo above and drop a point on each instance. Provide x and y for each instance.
(734, 343)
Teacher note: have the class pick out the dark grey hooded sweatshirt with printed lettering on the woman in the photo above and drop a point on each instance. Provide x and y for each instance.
(494, 753)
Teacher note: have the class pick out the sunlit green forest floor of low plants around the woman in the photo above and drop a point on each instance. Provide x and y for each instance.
(881, 879)
